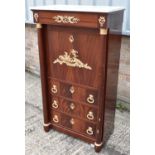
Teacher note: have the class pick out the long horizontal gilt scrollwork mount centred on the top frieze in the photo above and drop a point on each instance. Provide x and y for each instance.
(66, 19)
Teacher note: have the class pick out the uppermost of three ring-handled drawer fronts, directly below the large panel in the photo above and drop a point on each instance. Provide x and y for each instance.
(74, 92)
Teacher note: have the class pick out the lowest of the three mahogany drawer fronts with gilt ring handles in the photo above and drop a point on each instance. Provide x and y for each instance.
(74, 124)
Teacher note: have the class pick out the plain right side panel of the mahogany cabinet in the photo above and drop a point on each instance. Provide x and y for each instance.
(113, 56)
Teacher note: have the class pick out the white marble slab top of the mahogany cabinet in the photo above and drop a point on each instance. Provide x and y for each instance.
(79, 8)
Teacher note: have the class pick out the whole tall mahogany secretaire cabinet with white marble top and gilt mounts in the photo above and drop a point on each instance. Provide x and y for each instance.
(79, 48)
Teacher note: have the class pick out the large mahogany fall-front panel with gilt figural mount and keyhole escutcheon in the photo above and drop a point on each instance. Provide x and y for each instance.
(75, 55)
